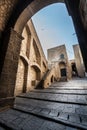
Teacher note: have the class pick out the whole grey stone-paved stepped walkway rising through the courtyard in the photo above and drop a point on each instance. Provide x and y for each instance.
(62, 106)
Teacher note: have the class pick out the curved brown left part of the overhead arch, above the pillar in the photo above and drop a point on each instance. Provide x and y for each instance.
(27, 10)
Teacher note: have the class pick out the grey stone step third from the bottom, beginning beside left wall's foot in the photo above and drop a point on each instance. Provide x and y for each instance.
(63, 98)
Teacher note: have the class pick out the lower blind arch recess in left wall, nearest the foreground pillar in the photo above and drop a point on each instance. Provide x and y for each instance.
(21, 79)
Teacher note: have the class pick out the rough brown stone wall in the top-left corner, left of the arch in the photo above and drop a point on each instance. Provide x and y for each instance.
(6, 9)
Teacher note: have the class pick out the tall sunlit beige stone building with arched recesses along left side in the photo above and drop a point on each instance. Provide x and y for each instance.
(32, 63)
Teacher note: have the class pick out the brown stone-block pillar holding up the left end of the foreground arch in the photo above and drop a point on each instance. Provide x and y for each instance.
(8, 75)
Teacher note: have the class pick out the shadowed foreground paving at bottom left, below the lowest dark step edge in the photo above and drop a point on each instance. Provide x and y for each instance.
(18, 119)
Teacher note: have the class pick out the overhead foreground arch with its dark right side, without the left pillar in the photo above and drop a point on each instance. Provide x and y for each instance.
(28, 8)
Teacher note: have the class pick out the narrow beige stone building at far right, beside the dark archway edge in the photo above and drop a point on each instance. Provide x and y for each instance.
(79, 61)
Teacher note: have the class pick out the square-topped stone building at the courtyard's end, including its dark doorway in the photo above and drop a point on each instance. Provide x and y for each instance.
(57, 57)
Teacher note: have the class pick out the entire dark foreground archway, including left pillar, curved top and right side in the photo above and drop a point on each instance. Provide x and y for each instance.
(10, 45)
